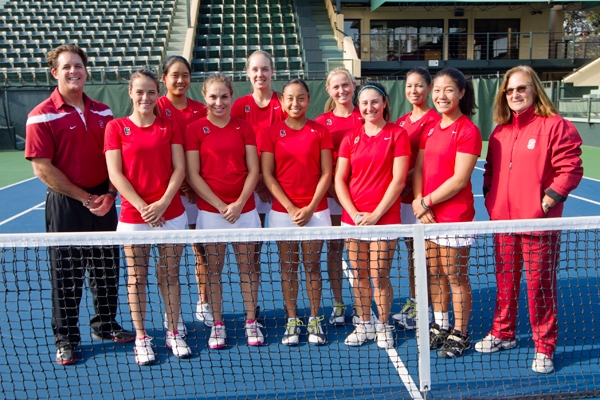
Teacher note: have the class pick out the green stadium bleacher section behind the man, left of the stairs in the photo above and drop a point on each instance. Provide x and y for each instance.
(119, 36)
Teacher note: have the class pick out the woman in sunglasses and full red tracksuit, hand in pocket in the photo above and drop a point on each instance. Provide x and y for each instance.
(532, 147)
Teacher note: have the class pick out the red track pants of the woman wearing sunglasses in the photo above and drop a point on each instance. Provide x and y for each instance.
(538, 254)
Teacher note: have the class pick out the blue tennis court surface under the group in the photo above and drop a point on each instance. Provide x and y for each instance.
(335, 371)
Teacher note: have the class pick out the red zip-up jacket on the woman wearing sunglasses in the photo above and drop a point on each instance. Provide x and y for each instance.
(527, 158)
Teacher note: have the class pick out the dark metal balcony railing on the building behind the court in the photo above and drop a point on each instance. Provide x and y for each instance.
(401, 46)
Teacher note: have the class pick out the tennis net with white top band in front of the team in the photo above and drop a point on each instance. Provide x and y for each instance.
(408, 369)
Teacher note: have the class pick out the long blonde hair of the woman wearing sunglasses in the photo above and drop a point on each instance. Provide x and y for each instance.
(542, 103)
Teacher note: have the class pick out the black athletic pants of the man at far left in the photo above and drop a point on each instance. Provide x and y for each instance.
(68, 265)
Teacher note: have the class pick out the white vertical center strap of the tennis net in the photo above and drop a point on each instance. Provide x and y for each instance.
(421, 292)
